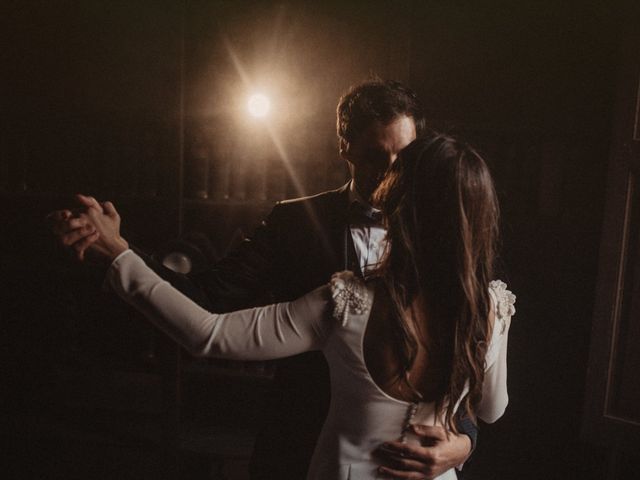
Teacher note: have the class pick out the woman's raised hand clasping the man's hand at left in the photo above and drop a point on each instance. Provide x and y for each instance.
(105, 242)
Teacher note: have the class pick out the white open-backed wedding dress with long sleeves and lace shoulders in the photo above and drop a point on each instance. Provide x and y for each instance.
(333, 319)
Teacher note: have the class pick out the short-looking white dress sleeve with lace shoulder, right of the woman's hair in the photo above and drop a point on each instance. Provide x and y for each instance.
(494, 390)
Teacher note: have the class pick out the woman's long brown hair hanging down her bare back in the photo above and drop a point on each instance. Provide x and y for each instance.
(442, 212)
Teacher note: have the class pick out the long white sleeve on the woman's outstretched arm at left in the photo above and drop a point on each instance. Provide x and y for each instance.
(263, 333)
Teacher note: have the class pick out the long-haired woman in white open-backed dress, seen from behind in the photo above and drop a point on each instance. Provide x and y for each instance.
(425, 336)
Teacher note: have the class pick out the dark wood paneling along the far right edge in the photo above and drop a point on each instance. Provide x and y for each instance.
(612, 404)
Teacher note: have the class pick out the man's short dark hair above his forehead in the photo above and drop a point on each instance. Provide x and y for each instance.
(376, 100)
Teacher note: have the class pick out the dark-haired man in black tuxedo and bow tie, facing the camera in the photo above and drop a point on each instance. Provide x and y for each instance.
(296, 249)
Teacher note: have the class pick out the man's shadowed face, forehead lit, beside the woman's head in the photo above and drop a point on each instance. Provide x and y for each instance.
(375, 149)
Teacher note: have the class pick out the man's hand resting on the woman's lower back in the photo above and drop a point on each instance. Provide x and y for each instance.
(435, 455)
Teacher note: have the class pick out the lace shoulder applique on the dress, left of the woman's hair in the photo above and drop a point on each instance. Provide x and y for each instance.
(349, 295)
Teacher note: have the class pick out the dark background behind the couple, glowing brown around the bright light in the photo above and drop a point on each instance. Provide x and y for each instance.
(142, 103)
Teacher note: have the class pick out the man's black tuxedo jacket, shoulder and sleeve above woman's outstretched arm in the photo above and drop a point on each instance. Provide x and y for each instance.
(296, 249)
